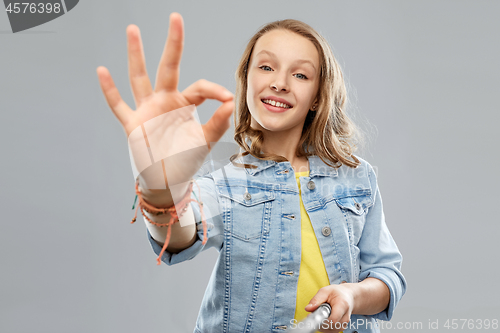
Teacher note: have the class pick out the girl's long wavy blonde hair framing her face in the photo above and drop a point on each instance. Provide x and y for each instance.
(328, 132)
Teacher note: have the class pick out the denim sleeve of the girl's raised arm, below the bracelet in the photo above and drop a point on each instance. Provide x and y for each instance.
(213, 219)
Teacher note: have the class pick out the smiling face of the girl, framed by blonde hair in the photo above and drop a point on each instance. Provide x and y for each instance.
(284, 66)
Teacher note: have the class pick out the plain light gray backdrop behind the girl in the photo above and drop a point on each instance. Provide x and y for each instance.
(423, 80)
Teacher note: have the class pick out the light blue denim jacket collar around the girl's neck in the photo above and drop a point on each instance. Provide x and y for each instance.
(316, 165)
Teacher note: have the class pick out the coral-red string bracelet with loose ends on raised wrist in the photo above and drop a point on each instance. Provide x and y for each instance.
(174, 218)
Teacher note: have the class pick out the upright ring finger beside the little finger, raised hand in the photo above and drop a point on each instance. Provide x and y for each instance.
(139, 80)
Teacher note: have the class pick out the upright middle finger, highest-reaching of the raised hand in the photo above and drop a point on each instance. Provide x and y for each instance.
(167, 77)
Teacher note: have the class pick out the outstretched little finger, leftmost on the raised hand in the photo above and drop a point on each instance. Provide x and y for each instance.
(113, 98)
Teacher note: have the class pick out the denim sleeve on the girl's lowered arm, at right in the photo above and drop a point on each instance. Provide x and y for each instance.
(379, 255)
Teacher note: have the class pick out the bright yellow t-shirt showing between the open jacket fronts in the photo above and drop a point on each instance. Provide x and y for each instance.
(312, 275)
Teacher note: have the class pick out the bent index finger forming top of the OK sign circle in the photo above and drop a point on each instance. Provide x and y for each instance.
(201, 90)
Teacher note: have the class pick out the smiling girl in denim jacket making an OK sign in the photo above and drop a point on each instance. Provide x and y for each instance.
(296, 217)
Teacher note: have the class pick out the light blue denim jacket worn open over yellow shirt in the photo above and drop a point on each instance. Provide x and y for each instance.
(253, 218)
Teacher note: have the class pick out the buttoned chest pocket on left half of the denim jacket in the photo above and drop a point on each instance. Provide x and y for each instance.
(247, 213)
